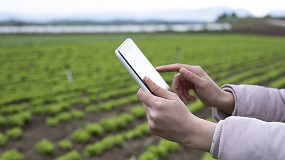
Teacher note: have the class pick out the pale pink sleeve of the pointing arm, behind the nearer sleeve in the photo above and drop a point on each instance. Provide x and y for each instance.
(266, 104)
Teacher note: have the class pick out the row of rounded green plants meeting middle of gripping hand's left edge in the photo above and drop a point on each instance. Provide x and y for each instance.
(46, 147)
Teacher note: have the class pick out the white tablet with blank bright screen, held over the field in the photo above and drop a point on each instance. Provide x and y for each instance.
(138, 65)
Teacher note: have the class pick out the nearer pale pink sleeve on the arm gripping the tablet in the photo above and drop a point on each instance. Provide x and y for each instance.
(242, 138)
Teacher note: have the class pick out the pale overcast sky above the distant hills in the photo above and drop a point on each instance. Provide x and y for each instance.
(71, 7)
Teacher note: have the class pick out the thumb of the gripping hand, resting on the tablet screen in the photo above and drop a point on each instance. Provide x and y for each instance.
(157, 90)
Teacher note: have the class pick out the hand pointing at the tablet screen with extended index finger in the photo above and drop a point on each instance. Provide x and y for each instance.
(194, 77)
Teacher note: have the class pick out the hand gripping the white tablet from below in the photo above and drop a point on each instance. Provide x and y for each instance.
(169, 118)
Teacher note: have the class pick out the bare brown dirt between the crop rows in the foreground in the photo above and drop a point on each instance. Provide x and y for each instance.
(37, 129)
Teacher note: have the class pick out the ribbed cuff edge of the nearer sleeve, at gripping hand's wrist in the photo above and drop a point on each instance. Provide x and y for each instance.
(216, 140)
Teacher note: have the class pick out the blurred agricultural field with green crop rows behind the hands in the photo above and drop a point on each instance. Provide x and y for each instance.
(68, 97)
